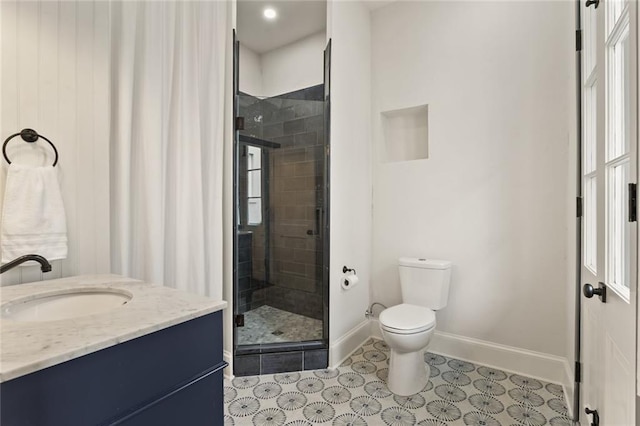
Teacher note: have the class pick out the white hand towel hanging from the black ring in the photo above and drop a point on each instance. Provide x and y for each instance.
(33, 217)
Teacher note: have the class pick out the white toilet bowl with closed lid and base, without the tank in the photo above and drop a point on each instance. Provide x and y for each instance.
(407, 329)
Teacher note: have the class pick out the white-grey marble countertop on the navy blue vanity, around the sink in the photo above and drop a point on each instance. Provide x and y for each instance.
(26, 347)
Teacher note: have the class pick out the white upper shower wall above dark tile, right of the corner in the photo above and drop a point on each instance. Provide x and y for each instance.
(294, 66)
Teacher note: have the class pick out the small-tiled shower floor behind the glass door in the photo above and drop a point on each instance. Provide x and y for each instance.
(267, 324)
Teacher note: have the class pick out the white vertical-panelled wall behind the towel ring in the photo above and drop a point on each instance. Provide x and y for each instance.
(55, 79)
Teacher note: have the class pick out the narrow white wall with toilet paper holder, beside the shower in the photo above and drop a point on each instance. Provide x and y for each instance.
(350, 173)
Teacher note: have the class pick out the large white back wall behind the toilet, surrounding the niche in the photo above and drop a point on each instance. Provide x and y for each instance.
(492, 197)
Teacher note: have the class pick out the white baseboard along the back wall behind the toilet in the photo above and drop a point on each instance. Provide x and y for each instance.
(546, 367)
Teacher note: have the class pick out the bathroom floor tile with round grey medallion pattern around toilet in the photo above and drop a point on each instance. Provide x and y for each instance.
(458, 393)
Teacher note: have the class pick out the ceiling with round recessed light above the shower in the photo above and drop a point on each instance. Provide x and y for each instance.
(296, 19)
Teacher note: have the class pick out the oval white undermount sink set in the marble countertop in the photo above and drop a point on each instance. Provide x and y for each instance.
(64, 305)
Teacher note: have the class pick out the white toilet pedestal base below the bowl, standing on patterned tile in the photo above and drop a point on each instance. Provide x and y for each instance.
(402, 379)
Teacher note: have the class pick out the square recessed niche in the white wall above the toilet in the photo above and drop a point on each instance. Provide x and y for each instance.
(406, 134)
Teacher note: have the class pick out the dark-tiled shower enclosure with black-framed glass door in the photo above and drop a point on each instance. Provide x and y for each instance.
(281, 245)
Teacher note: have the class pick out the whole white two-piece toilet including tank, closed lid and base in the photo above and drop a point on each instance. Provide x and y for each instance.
(407, 328)
